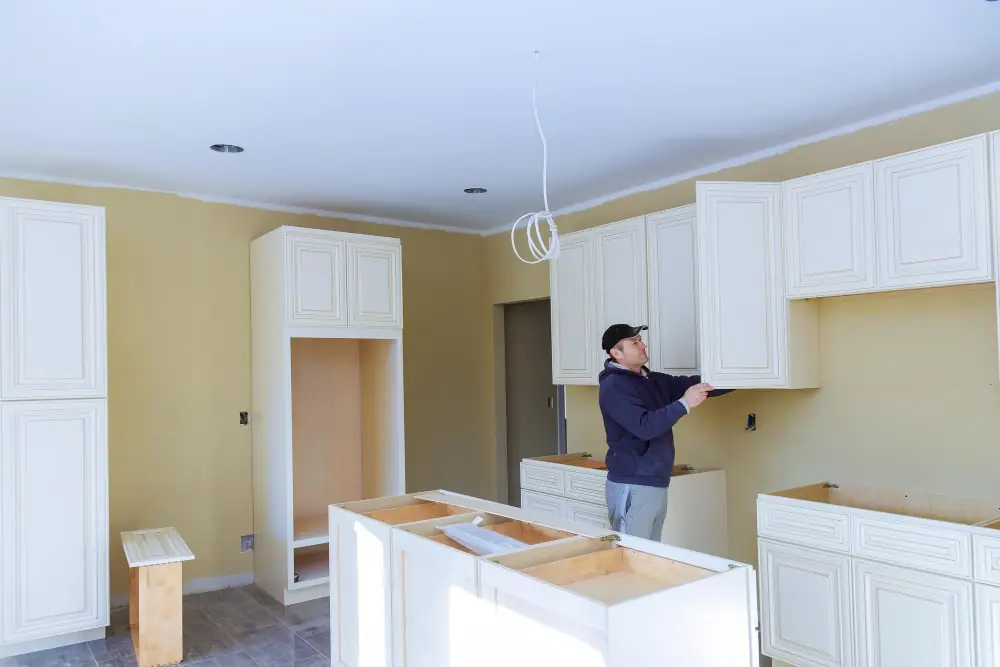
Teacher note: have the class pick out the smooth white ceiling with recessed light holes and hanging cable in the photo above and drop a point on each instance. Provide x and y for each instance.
(389, 108)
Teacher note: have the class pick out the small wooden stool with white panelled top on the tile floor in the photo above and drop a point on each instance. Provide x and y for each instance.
(155, 614)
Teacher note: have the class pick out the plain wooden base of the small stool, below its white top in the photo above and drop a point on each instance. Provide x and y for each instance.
(156, 614)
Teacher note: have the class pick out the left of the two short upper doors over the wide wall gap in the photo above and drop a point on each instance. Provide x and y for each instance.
(829, 221)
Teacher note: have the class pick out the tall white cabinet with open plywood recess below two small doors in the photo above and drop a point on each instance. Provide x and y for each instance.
(327, 394)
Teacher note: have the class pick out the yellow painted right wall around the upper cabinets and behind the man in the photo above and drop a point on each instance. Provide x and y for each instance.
(908, 395)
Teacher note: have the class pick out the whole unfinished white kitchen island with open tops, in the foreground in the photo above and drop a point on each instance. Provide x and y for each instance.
(403, 593)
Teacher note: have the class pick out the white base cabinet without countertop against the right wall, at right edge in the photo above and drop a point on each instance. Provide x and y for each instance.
(855, 576)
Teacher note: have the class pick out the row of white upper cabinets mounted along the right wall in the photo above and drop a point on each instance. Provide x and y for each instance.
(728, 284)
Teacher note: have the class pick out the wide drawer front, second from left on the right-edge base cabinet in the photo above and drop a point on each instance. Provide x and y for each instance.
(923, 547)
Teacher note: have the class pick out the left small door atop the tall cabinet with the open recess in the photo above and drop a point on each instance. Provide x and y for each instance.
(317, 291)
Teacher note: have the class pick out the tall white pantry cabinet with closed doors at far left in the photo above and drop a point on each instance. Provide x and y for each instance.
(53, 425)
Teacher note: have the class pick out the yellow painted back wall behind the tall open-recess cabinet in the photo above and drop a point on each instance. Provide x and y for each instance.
(179, 364)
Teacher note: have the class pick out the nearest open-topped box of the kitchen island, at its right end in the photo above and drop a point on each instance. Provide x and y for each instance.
(591, 602)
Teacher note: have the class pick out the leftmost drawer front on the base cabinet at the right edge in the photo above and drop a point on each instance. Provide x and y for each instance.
(821, 528)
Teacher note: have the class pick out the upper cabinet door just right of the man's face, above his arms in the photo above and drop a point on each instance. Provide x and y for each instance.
(672, 291)
